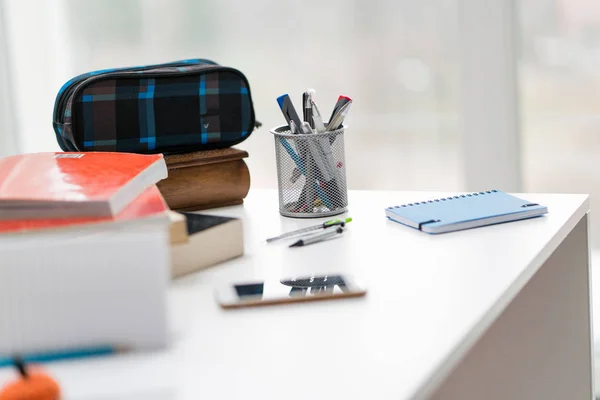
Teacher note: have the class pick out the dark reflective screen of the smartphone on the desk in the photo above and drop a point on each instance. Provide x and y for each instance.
(295, 288)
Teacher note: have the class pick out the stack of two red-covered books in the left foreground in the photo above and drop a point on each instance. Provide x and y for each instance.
(84, 249)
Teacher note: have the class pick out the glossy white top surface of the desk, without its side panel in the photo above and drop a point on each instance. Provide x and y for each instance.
(430, 297)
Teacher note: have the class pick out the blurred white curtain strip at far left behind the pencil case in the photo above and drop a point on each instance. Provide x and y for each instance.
(38, 50)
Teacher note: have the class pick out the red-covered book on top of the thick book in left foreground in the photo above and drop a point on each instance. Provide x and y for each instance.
(68, 185)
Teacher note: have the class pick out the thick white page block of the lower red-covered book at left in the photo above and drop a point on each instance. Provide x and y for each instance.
(101, 285)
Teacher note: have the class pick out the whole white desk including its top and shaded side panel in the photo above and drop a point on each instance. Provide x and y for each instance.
(500, 312)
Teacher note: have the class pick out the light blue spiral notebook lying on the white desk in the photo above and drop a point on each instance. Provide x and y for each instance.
(464, 211)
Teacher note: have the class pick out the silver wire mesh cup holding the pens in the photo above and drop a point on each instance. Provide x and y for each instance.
(316, 158)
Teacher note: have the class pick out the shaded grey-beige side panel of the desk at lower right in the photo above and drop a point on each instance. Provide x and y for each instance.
(541, 345)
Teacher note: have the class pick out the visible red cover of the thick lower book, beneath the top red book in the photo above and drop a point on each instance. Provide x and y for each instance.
(149, 204)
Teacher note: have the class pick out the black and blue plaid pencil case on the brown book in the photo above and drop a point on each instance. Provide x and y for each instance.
(181, 106)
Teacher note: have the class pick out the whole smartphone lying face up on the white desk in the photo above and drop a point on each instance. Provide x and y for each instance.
(290, 290)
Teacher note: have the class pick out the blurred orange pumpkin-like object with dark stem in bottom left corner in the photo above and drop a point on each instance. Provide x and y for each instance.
(32, 385)
